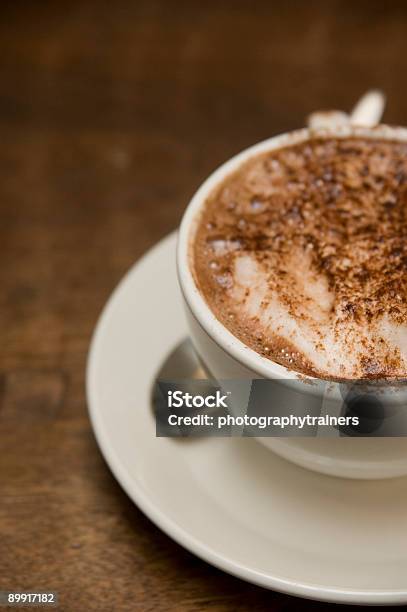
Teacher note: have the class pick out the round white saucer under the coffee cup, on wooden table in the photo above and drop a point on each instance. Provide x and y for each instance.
(230, 501)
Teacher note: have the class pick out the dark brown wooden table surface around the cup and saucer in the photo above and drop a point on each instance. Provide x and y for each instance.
(111, 114)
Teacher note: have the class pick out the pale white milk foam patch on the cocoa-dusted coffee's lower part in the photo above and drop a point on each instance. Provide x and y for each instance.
(314, 329)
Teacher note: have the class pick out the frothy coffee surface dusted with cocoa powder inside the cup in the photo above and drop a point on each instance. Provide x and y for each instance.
(302, 254)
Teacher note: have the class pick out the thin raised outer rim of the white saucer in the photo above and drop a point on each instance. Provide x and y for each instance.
(141, 499)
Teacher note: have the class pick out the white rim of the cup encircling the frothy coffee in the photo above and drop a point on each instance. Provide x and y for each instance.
(241, 352)
